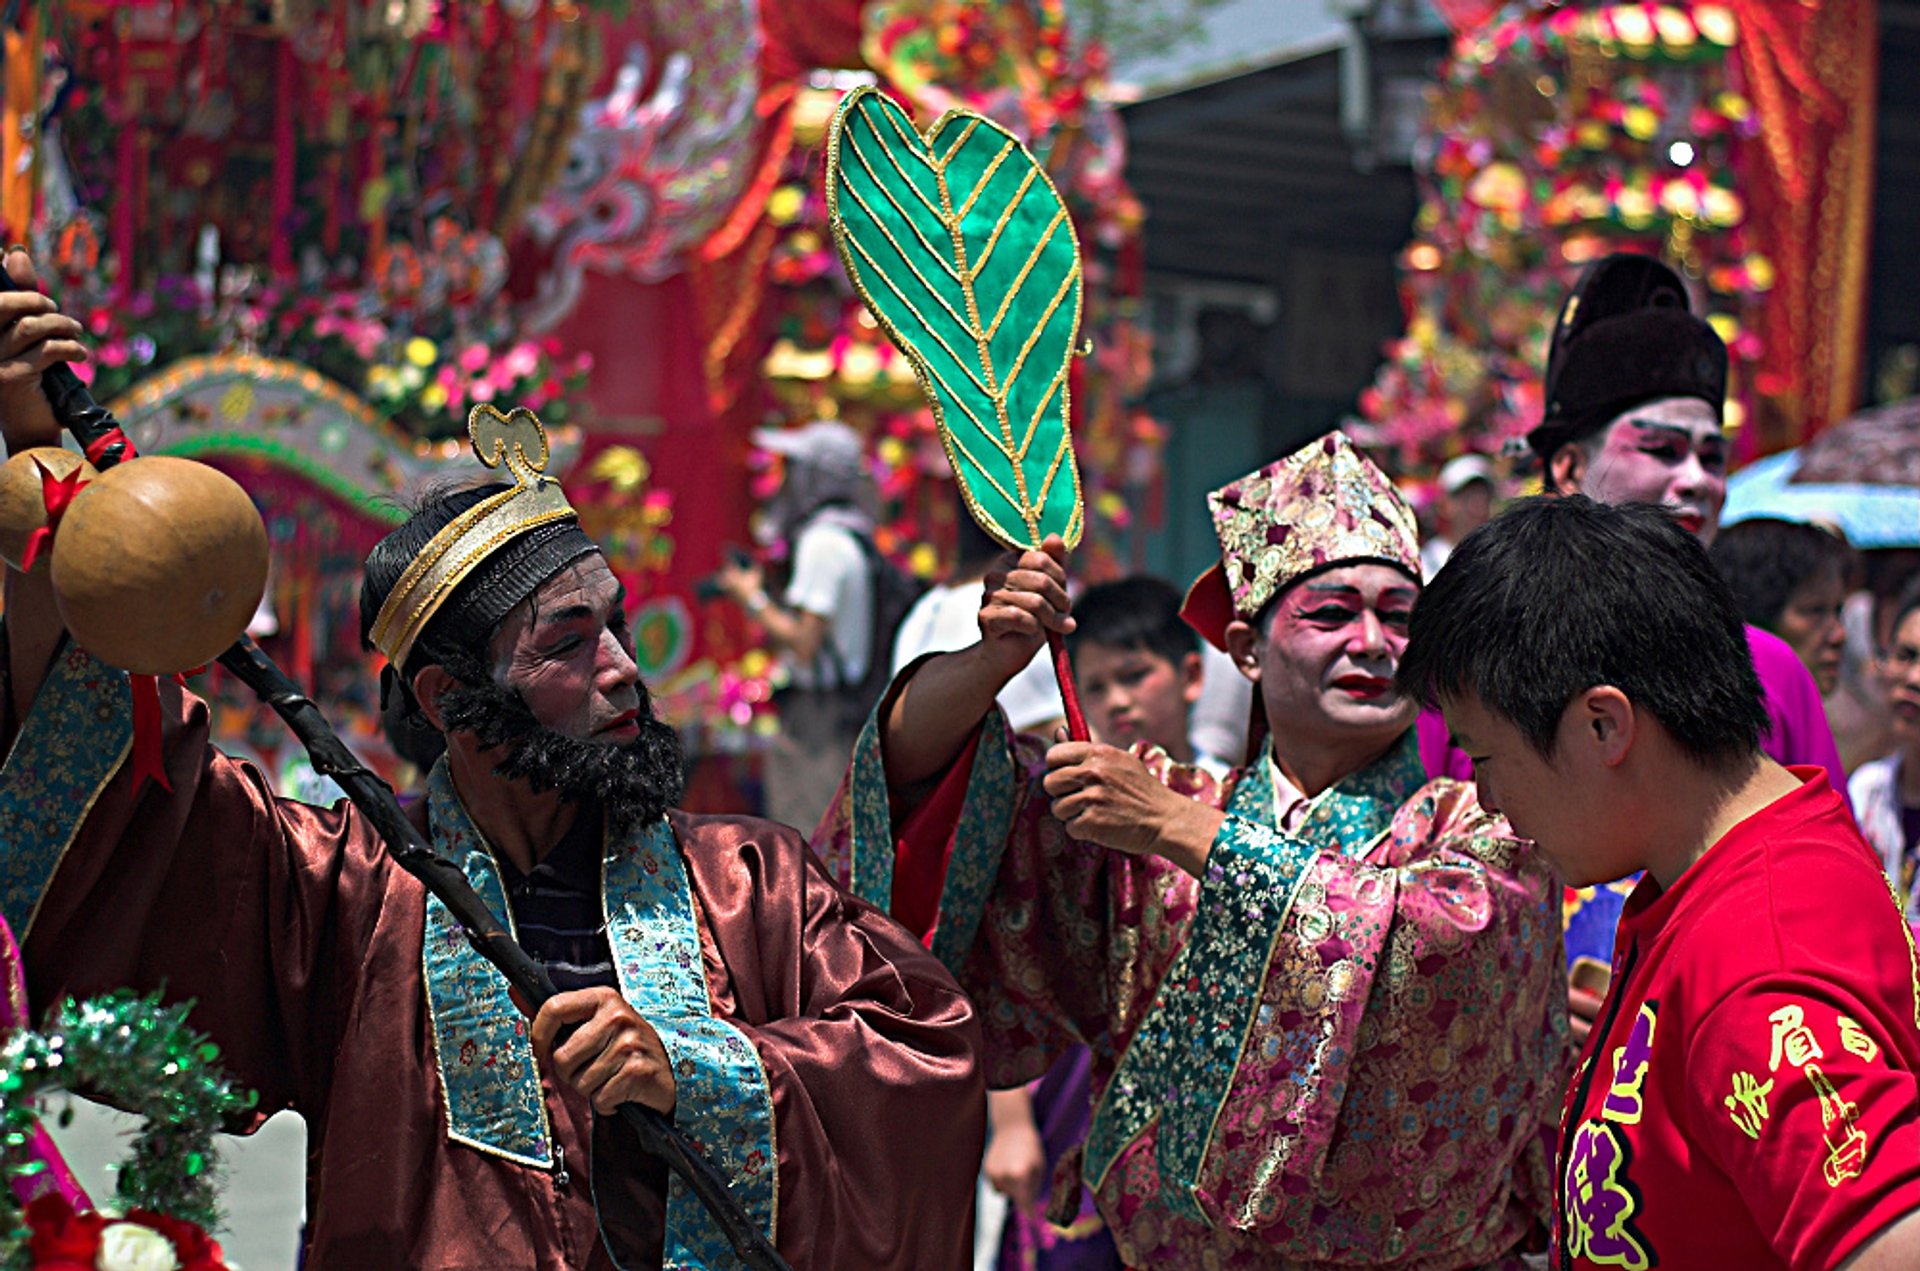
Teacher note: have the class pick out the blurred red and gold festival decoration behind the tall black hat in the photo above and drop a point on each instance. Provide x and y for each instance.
(1733, 139)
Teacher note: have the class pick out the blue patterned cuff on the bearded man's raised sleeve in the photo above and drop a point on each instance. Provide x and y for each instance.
(74, 742)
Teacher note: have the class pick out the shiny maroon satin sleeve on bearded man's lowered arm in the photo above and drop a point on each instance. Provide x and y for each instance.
(871, 1053)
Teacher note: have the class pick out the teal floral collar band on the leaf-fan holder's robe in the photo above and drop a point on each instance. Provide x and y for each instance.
(1182, 1063)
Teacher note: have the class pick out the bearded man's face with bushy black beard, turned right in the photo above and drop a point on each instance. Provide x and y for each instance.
(567, 706)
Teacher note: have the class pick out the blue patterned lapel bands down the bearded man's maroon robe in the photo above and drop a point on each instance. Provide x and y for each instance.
(487, 1063)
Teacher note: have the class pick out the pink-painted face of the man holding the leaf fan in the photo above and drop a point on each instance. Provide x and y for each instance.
(1326, 665)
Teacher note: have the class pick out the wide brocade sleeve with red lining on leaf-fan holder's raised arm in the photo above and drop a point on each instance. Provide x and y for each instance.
(1059, 942)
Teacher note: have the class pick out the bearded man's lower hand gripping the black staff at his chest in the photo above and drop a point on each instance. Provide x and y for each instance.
(613, 1057)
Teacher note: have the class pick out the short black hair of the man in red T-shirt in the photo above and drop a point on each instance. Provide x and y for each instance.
(1564, 594)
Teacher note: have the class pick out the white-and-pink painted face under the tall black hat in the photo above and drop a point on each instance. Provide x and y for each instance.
(1668, 452)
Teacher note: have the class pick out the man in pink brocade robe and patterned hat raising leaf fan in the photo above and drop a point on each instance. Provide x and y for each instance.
(1324, 995)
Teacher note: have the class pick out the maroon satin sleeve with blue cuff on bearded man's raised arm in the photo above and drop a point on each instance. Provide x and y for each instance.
(212, 892)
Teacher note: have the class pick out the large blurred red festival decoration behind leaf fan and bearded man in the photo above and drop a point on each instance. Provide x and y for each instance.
(602, 210)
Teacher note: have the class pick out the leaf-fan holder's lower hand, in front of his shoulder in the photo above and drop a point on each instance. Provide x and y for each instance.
(1107, 796)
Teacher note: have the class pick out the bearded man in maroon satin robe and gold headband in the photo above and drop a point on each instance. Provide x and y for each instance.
(708, 967)
